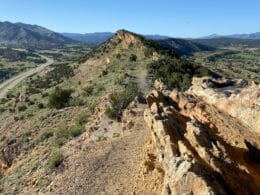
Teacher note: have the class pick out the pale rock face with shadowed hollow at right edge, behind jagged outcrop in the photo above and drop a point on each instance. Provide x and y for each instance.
(231, 97)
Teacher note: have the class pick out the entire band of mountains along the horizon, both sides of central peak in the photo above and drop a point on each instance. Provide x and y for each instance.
(34, 36)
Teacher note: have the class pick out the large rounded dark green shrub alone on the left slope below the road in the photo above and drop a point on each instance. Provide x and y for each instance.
(59, 98)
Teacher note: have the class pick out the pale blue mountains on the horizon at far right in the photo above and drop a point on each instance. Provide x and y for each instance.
(234, 36)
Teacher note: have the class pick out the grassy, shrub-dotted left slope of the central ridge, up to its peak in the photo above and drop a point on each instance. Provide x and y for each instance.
(36, 133)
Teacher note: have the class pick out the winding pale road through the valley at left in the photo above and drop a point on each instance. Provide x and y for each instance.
(12, 82)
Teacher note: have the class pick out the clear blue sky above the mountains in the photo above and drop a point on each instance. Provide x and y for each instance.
(178, 18)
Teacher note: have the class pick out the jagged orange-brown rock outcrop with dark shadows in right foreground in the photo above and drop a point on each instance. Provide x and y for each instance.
(202, 150)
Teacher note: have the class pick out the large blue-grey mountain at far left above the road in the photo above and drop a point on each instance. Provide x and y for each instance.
(19, 34)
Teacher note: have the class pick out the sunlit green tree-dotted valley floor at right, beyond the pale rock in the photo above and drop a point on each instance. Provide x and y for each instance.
(240, 62)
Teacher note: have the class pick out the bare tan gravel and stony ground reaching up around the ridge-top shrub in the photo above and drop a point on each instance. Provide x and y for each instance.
(113, 164)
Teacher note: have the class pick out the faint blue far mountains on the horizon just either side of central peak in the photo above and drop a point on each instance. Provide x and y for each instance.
(100, 37)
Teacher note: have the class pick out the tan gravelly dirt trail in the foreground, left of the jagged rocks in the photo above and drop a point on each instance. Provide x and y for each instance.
(108, 167)
